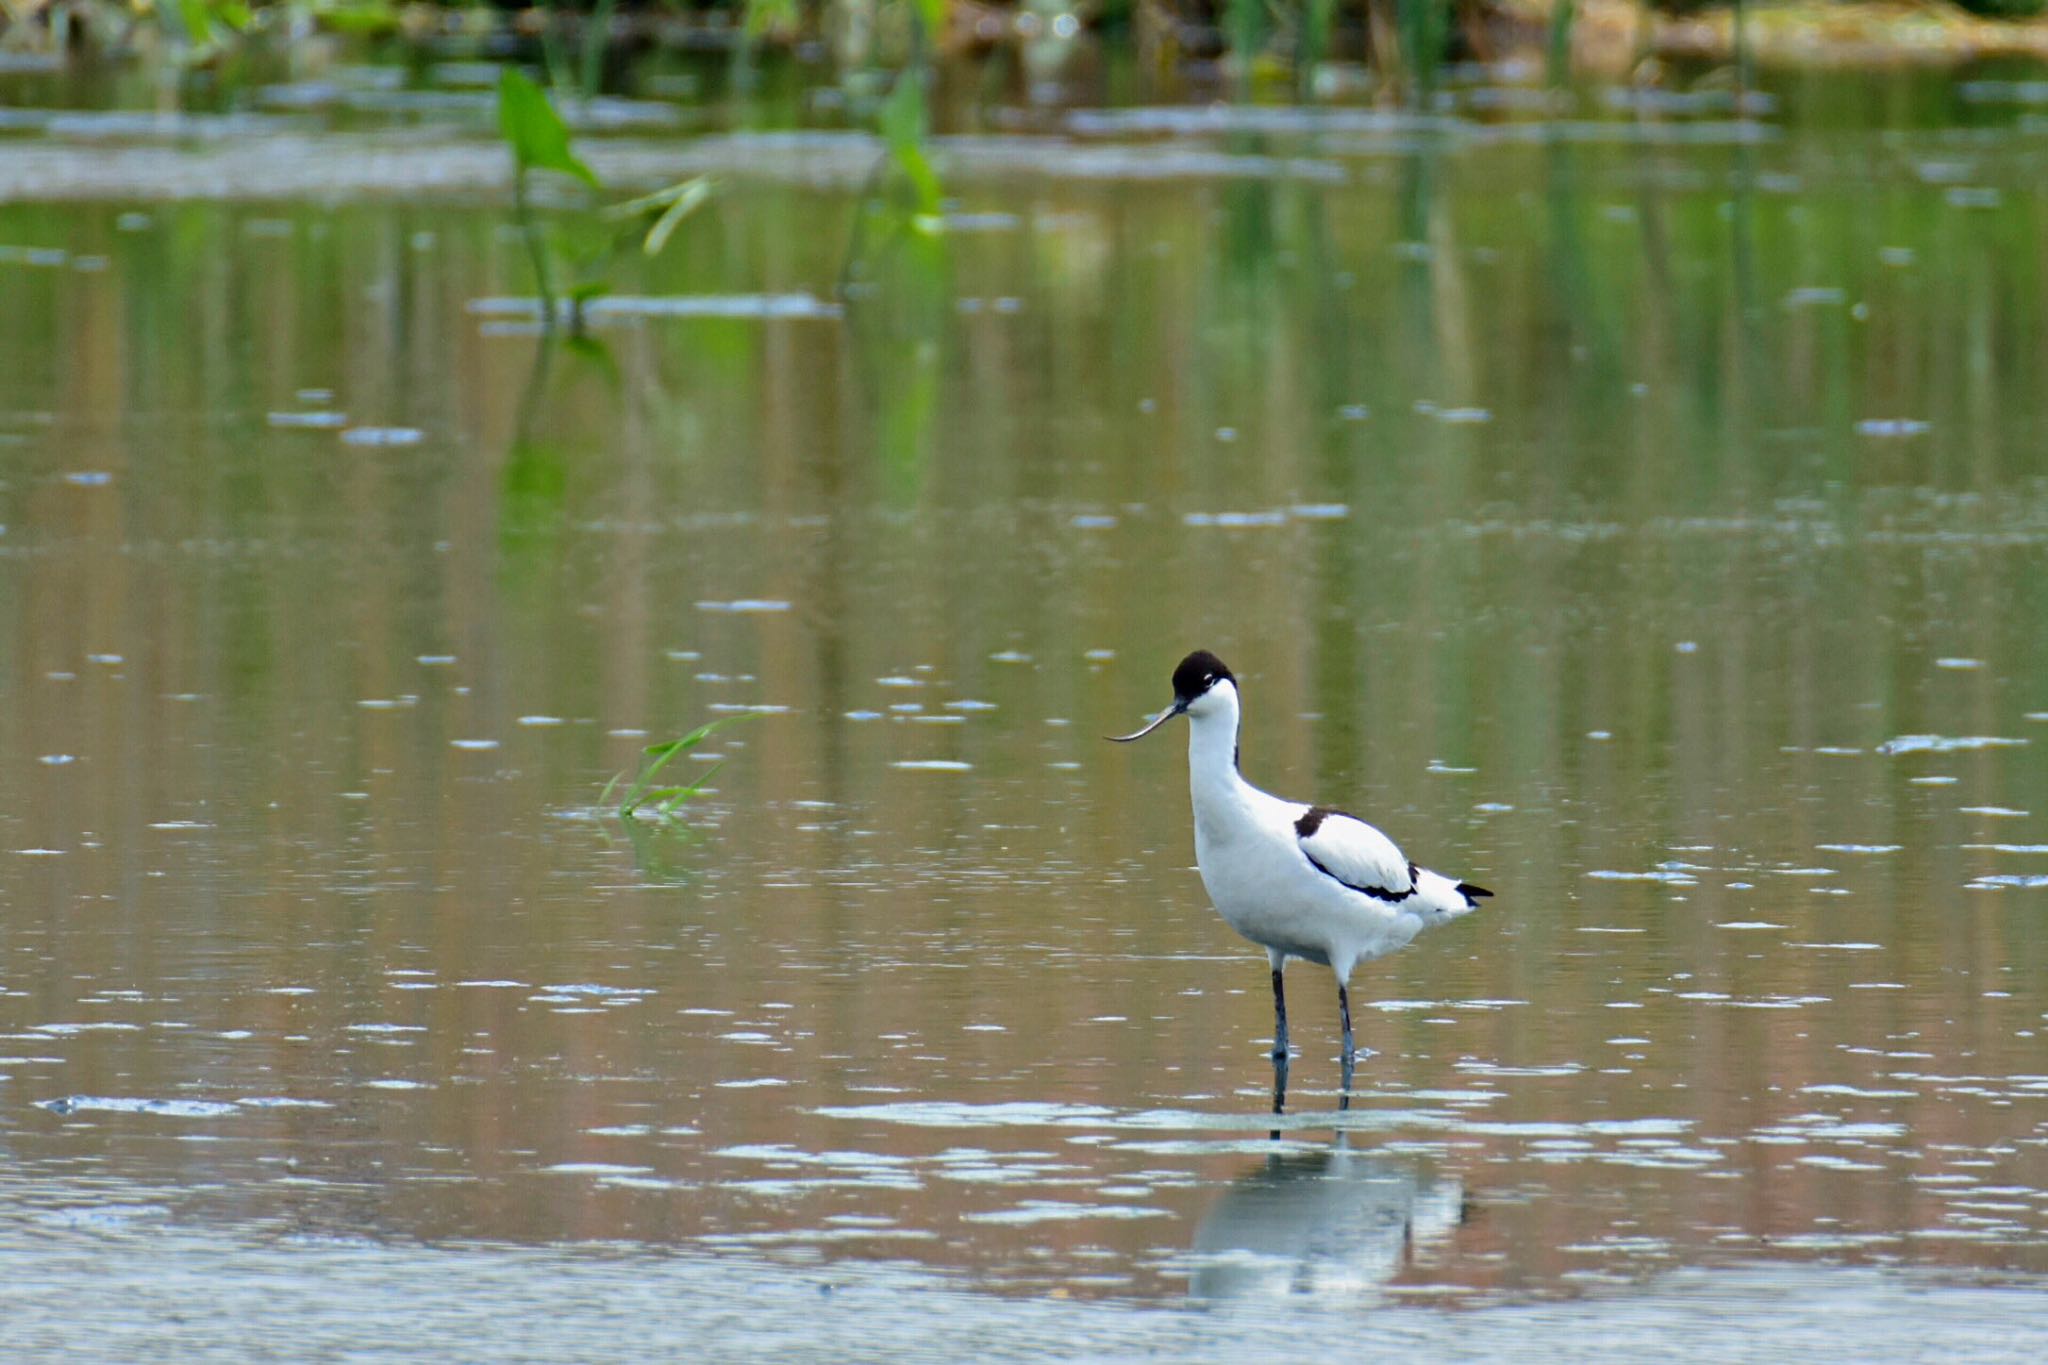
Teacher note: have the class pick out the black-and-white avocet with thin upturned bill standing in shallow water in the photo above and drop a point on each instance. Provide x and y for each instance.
(1299, 881)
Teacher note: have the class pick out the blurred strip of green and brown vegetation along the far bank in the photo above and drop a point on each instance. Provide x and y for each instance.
(1342, 50)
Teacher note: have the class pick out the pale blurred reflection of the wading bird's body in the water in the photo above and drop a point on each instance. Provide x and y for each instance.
(1322, 1223)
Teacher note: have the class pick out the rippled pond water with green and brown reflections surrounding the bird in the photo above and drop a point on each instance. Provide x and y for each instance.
(1648, 525)
